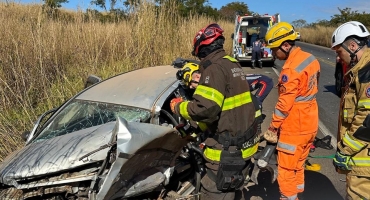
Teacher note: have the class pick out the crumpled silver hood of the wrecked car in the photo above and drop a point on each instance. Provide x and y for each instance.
(56, 154)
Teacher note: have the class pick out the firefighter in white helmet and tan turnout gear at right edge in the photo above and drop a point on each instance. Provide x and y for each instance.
(352, 157)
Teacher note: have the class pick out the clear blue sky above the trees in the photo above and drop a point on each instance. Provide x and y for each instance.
(290, 10)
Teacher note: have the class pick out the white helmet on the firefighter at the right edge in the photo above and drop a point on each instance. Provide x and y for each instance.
(347, 29)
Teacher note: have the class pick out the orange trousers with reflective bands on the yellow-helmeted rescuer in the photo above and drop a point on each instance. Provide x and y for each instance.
(292, 153)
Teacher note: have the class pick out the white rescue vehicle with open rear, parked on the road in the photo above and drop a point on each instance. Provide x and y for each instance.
(247, 29)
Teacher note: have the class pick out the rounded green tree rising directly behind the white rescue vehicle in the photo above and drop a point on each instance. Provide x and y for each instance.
(229, 10)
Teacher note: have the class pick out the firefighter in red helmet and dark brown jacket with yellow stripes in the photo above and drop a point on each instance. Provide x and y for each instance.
(222, 101)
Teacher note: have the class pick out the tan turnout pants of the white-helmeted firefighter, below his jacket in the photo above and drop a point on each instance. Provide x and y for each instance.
(358, 187)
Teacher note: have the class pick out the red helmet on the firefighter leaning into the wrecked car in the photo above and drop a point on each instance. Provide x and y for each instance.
(206, 36)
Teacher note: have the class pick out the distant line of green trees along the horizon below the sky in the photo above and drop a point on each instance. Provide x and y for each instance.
(114, 9)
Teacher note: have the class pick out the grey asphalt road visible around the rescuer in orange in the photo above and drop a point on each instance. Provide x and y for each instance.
(325, 184)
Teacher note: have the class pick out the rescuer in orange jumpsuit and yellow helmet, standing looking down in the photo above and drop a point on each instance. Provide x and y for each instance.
(295, 119)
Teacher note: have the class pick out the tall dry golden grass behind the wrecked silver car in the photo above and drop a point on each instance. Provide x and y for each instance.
(44, 61)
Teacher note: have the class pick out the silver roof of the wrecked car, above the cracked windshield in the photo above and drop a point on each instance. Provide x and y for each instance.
(139, 88)
